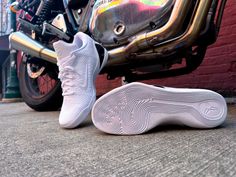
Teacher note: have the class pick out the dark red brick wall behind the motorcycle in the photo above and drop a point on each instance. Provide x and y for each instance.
(218, 70)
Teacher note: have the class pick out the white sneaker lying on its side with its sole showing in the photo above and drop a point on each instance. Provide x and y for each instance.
(136, 108)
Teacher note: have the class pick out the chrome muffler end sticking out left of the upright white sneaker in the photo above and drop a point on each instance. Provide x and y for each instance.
(24, 43)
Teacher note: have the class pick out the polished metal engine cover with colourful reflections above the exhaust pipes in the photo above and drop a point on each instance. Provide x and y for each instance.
(113, 22)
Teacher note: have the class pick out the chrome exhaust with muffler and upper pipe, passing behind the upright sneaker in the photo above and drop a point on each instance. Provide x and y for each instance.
(22, 42)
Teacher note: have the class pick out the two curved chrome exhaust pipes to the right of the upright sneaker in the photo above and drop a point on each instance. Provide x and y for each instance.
(142, 42)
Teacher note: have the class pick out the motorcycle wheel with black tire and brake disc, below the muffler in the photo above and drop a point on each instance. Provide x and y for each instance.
(39, 85)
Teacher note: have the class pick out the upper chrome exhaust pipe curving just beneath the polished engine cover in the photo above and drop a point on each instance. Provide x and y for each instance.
(143, 41)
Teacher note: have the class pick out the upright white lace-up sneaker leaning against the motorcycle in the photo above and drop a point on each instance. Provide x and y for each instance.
(79, 64)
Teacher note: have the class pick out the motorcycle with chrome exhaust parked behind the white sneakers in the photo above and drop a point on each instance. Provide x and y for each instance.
(145, 39)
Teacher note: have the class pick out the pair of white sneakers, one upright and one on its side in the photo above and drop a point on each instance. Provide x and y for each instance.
(130, 109)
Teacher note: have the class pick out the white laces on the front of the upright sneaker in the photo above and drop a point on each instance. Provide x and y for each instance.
(67, 76)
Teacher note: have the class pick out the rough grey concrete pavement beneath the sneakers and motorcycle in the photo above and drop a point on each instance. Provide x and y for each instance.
(32, 144)
